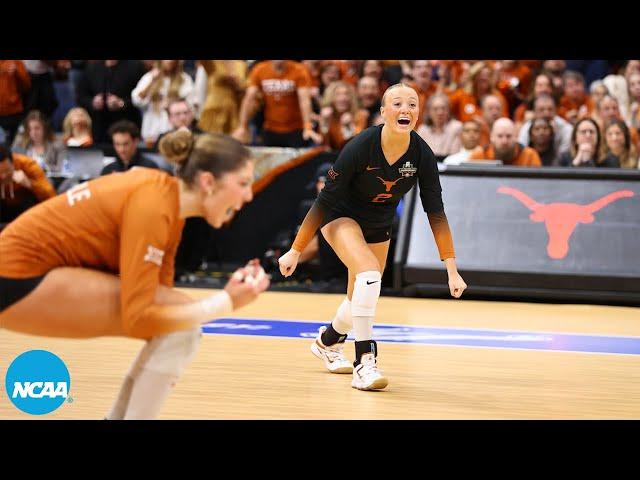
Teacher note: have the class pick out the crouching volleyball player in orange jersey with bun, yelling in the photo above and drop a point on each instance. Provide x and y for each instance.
(59, 262)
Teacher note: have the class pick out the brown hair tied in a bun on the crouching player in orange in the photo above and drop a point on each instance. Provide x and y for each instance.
(209, 152)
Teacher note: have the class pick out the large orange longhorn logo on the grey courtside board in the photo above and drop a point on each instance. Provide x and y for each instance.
(561, 218)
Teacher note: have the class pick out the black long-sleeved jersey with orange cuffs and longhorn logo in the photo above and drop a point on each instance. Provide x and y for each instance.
(363, 186)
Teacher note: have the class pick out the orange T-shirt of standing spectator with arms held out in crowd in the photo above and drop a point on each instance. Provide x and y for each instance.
(280, 92)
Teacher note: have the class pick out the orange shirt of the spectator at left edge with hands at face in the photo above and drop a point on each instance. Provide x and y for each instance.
(14, 194)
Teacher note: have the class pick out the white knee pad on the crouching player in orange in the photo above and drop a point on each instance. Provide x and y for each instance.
(171, 354)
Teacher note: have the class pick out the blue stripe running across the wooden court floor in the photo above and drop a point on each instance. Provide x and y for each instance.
(565, 342)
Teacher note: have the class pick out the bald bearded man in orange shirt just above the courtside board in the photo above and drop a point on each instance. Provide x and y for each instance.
(504, 147)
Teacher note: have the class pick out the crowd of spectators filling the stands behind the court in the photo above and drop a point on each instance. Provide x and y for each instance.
(534, 113)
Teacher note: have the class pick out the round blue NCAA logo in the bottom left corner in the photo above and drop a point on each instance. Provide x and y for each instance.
(37, 382)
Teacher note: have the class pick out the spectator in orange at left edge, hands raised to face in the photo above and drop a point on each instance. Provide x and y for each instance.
(23, 184)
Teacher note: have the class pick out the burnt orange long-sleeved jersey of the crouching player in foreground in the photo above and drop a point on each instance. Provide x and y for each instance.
(126, 223)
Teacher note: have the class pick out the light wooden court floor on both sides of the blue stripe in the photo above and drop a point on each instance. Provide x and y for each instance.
(251, 377)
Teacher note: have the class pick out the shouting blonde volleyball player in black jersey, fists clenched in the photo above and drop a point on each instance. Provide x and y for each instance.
(355, 211)
